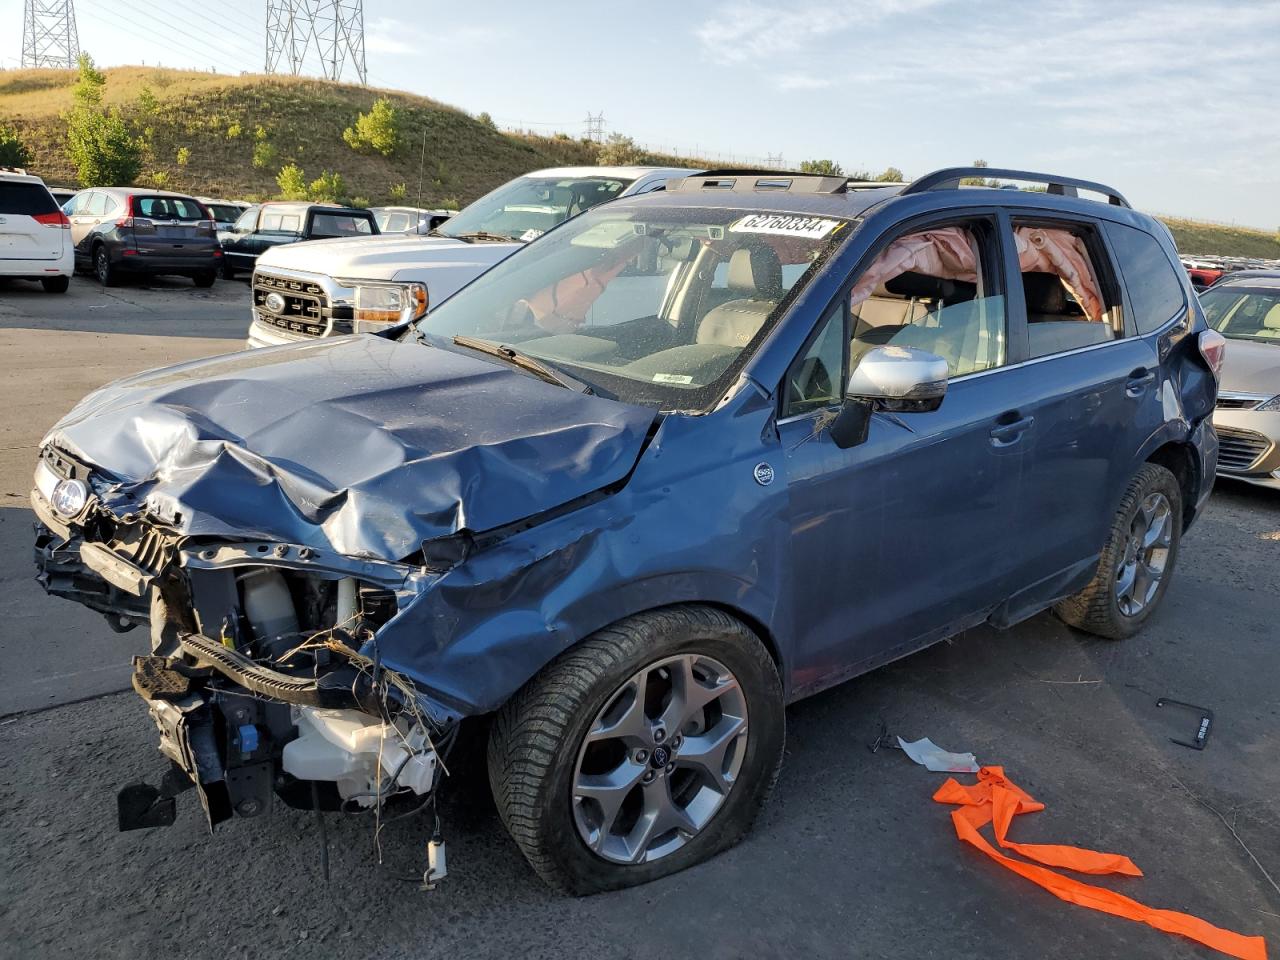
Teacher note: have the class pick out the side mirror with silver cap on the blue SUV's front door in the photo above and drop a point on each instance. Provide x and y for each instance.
(898, 380)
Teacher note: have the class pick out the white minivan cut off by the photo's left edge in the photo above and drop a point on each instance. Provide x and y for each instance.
(35, 234)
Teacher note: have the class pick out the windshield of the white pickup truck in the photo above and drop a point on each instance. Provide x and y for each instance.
(529, 207)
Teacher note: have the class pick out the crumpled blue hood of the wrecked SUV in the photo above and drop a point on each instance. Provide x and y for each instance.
(359, 445)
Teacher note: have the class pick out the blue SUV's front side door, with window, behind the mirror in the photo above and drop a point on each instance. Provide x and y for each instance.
(909, 537)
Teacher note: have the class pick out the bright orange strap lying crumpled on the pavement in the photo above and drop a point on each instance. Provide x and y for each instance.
(995, 799)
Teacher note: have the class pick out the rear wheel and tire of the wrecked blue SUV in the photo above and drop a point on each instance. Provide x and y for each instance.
(1137, 560)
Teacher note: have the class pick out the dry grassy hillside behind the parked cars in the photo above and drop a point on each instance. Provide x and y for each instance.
(217, 116)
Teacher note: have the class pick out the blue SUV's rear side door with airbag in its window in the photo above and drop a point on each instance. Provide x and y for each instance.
(1092, 387)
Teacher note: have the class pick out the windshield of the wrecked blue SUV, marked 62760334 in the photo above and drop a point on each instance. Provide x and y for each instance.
(651, 305)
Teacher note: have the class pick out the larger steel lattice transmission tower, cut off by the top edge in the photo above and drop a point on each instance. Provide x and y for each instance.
(332, 30)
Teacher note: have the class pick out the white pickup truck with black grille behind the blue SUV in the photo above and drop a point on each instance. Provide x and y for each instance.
(332, 287)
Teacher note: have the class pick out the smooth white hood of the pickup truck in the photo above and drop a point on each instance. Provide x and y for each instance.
(382, 258)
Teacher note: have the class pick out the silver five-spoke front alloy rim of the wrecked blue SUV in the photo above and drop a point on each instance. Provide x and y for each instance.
(660, 760)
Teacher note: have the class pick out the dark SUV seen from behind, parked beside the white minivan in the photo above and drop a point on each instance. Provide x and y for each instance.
(126, 231)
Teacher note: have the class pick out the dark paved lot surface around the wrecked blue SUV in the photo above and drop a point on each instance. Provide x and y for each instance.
(852, 860)
